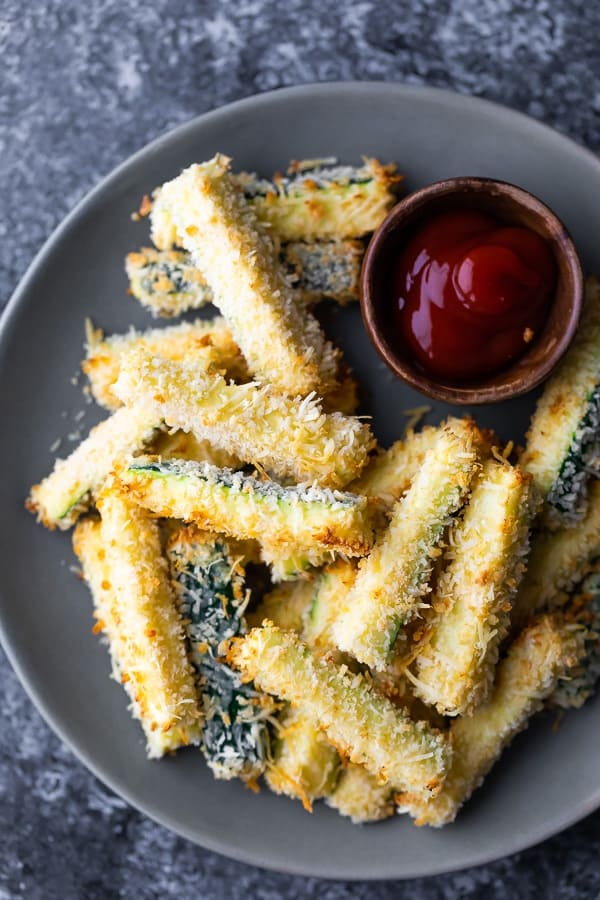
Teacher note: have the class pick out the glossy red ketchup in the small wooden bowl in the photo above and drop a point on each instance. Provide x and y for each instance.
(471, 293)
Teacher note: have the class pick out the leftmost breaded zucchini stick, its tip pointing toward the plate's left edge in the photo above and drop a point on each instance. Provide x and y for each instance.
(69, 489)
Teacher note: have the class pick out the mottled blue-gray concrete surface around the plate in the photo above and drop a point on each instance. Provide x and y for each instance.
(83, 85)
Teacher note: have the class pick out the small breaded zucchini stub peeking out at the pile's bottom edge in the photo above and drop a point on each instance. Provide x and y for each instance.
(360, 797)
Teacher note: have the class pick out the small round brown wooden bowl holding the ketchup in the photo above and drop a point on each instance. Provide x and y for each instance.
(511, 205)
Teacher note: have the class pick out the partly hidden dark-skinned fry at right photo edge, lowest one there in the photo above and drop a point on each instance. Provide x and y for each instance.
(584, 609)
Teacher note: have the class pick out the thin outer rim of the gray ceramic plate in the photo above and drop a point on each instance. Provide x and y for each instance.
(454, 98)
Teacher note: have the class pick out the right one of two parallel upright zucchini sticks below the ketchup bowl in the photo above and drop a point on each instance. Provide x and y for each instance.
(473, 597)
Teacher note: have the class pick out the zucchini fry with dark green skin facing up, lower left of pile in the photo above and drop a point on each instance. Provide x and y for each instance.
(209, 584)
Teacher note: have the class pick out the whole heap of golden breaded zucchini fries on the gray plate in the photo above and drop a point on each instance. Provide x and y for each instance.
(426, 600)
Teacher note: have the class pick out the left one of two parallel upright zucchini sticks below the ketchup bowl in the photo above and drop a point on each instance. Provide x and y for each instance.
(392, 582)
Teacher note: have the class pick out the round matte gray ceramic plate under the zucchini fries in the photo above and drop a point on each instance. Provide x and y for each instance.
(547, 780)
